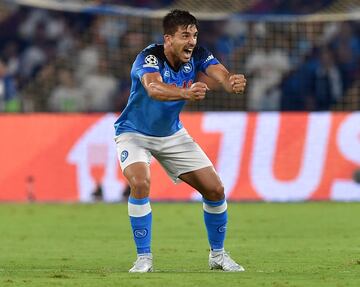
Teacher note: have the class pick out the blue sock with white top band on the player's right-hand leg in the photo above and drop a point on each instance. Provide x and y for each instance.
(215, 216)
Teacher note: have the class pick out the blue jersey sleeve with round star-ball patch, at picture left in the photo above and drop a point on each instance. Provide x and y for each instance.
(146, 62)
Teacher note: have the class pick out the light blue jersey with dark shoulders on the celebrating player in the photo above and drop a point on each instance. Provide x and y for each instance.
(152, 117)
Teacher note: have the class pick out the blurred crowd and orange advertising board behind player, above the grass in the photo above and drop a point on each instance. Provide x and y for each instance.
(65, 77)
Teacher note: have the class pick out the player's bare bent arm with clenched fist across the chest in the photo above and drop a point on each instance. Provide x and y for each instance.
(161, 91)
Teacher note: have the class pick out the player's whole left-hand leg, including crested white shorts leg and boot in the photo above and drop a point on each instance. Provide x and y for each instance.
(134, 161)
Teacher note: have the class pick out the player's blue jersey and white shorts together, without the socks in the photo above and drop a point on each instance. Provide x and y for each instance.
(149, 127)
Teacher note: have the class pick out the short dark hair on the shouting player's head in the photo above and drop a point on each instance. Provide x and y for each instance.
(177, 18)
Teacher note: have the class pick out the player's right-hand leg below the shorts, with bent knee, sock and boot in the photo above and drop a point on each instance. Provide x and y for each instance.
(208, 183)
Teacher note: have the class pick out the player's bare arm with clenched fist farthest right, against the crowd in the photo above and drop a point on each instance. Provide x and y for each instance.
(217, 76)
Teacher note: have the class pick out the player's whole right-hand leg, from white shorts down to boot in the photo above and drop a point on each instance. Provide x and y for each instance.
(182, 158)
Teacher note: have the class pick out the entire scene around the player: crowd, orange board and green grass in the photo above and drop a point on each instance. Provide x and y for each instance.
(293, 136)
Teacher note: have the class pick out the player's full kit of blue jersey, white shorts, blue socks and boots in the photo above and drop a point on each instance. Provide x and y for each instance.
(149, 127)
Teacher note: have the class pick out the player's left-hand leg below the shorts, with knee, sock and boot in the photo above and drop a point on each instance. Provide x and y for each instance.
(138, 176)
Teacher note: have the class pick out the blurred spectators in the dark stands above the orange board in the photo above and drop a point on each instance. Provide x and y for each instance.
(71, 62)
